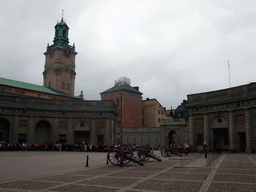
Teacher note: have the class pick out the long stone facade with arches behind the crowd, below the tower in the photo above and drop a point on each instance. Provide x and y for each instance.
(27, 119)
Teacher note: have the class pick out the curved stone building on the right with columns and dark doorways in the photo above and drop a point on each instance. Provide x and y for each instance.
(224, 118)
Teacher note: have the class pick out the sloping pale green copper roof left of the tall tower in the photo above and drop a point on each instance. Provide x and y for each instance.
(23, 85)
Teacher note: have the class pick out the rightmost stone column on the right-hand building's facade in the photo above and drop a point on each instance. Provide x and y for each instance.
(248, 131)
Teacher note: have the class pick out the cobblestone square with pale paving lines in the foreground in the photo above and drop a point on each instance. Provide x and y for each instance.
(66, 171)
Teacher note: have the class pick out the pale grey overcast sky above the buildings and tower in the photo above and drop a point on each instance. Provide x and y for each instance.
(169, 48)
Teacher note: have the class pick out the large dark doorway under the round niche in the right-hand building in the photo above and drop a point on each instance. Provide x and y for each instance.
(221, 138)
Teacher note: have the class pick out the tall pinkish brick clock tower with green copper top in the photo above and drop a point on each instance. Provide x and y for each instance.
(59, 70)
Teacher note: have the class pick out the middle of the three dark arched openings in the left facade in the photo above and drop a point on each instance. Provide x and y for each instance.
(43, 132)
